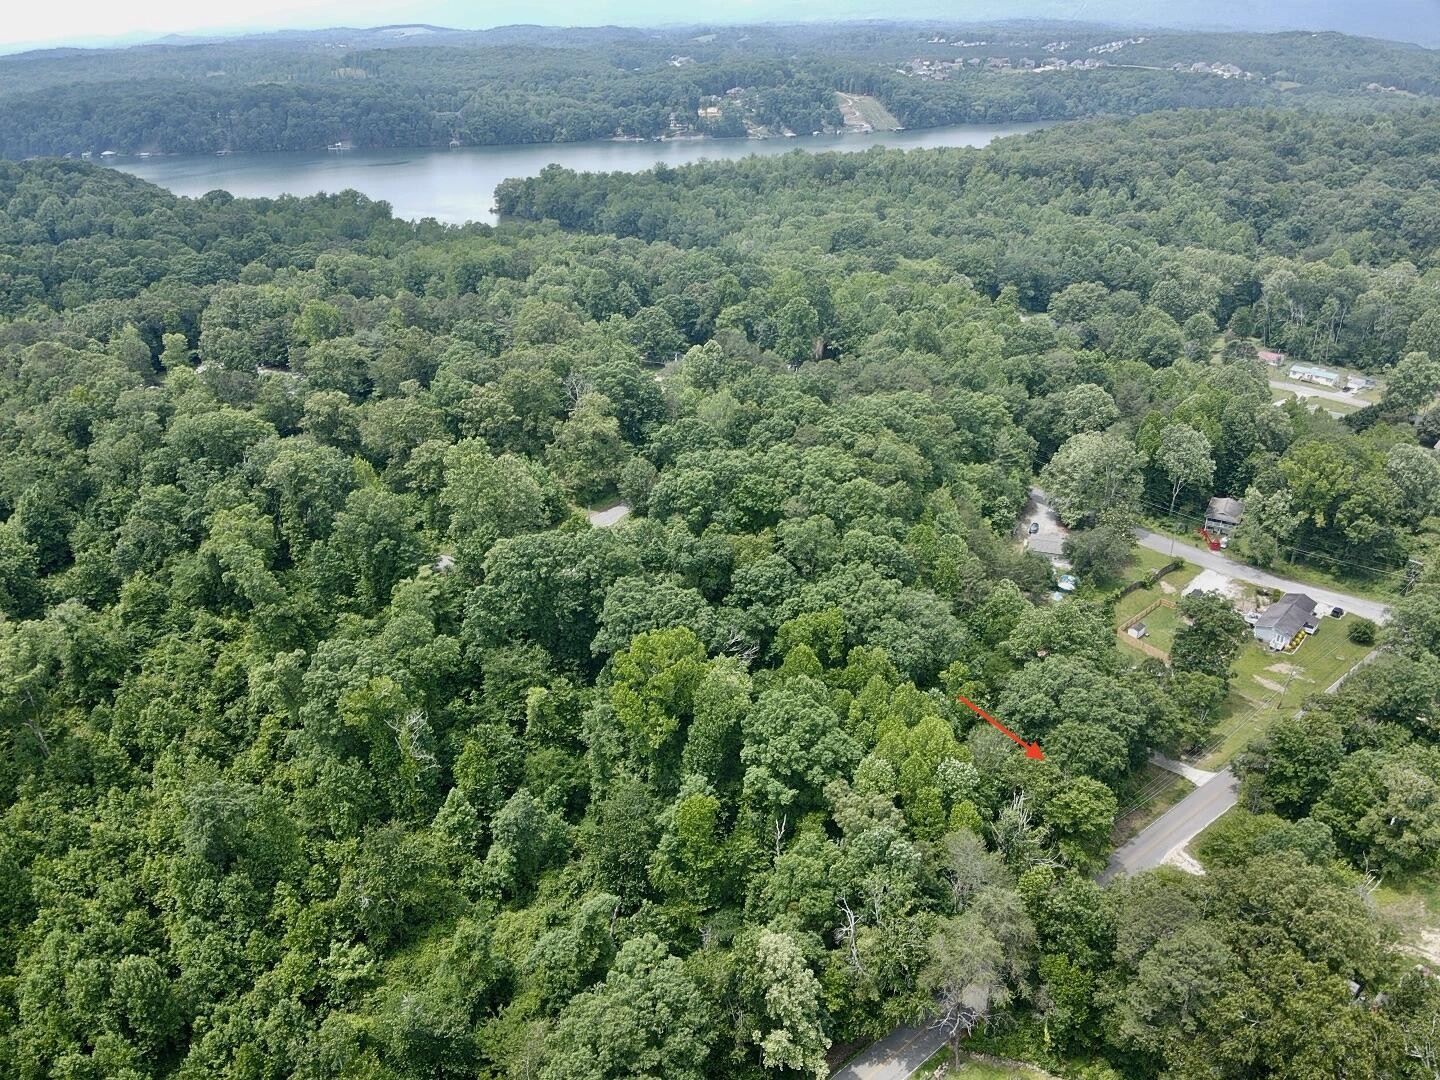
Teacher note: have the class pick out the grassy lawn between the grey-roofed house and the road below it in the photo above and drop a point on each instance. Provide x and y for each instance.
(1269, 685)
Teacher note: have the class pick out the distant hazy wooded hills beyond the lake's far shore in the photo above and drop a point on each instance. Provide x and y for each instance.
(536, 86)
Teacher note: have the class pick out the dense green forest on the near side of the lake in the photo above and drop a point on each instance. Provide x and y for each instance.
(339, 742)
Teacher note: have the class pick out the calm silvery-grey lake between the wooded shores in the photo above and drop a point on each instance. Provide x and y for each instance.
(460, 185)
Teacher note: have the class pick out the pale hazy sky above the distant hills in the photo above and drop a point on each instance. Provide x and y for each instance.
(94, 22)
